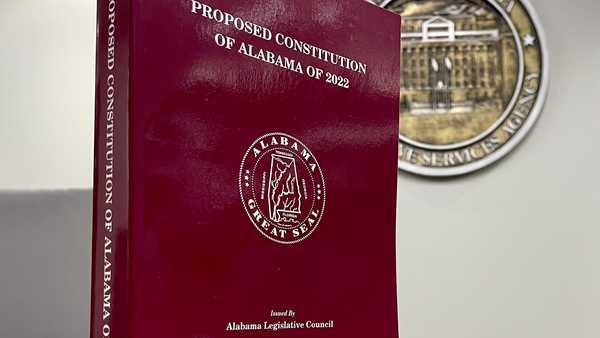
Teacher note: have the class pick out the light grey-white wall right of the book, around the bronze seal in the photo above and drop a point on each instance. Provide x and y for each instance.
(514, 251)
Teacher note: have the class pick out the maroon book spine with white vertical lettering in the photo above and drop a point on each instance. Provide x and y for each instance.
(109, 303)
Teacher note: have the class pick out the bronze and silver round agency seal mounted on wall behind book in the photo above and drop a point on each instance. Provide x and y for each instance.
(474, 80)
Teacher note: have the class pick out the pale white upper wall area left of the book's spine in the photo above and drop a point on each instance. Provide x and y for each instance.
(46, 93)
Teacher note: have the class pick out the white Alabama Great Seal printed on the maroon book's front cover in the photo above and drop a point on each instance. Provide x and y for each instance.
(282, 188)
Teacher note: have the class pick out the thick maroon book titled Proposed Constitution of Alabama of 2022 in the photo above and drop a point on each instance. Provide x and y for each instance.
(245, 173)
